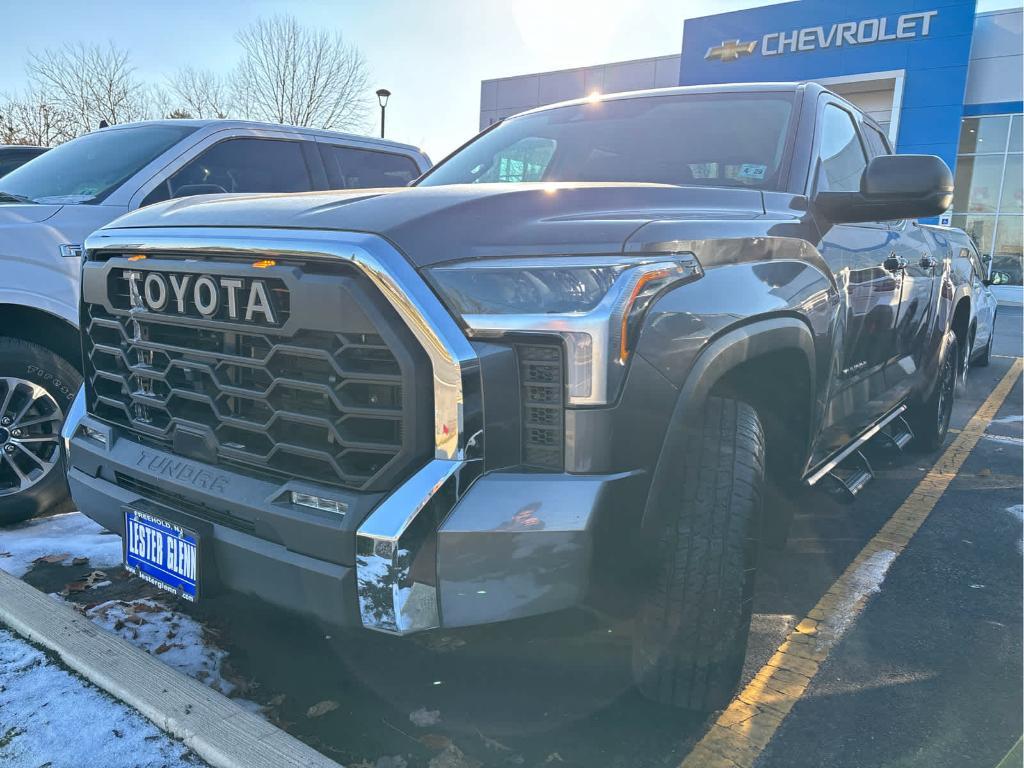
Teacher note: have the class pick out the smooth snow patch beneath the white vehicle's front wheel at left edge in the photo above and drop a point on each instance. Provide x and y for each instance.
(71, 535)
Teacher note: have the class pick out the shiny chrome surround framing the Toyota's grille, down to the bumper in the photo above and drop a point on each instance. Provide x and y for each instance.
(389, 536)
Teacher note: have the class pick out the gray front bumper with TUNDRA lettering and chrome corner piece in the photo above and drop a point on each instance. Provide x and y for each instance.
(513, 545)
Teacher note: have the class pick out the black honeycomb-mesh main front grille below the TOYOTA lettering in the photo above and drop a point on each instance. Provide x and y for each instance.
(332, 407)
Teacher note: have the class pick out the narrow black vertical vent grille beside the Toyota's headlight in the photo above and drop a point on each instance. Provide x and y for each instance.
(542, 385)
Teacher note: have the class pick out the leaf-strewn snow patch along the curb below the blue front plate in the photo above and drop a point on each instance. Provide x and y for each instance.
(175, 638)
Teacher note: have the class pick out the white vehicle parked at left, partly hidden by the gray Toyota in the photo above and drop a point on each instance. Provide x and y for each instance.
(50, 205)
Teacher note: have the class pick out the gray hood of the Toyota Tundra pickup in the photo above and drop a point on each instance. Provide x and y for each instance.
(433, 225)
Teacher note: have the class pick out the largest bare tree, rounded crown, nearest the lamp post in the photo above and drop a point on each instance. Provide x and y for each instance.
(295, 75)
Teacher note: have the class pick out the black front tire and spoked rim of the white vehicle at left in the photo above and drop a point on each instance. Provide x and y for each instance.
(31, 364)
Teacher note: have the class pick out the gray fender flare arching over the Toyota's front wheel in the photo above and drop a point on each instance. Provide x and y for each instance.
(718, 358)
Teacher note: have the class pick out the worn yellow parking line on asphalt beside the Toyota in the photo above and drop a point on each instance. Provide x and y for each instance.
(749, 723)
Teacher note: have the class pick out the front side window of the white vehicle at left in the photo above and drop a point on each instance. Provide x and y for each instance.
(239, 165)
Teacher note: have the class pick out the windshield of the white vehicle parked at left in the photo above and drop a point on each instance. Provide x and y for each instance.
(91, 167)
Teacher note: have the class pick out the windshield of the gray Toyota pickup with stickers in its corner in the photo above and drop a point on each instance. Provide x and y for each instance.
(732, 140)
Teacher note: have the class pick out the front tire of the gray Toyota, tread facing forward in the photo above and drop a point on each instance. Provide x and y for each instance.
(692, 629)
